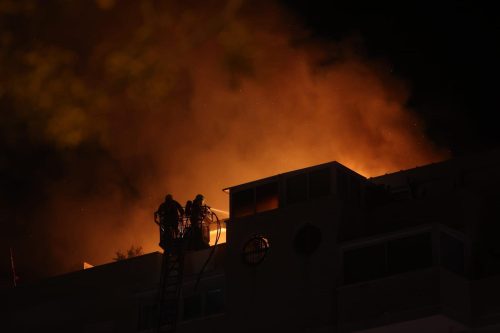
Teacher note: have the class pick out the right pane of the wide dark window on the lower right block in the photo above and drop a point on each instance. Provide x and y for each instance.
(409, 253)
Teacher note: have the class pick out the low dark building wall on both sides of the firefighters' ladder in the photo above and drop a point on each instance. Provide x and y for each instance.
(111, 297)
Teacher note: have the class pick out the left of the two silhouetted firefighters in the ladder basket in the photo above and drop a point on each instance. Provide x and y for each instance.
(167, 217)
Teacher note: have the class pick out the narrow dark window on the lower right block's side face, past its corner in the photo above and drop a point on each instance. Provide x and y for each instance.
(452, 253)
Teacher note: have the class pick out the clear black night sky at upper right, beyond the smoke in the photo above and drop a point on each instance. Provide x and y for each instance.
(448, 51)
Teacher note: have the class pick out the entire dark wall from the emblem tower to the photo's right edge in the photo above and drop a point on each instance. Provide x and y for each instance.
(451, 199)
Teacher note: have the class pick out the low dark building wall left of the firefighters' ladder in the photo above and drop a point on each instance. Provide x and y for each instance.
(103, 295)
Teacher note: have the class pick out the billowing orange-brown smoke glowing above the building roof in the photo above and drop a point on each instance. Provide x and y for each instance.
(107, 106)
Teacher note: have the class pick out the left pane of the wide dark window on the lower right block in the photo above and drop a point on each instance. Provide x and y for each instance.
(364, 264)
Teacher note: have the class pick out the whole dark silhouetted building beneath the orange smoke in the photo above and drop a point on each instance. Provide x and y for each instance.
(321, 249)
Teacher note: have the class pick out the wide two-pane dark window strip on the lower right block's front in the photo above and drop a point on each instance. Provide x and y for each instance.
(390, 257)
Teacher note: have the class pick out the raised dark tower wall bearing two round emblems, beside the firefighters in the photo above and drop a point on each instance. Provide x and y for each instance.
(289, 283)
